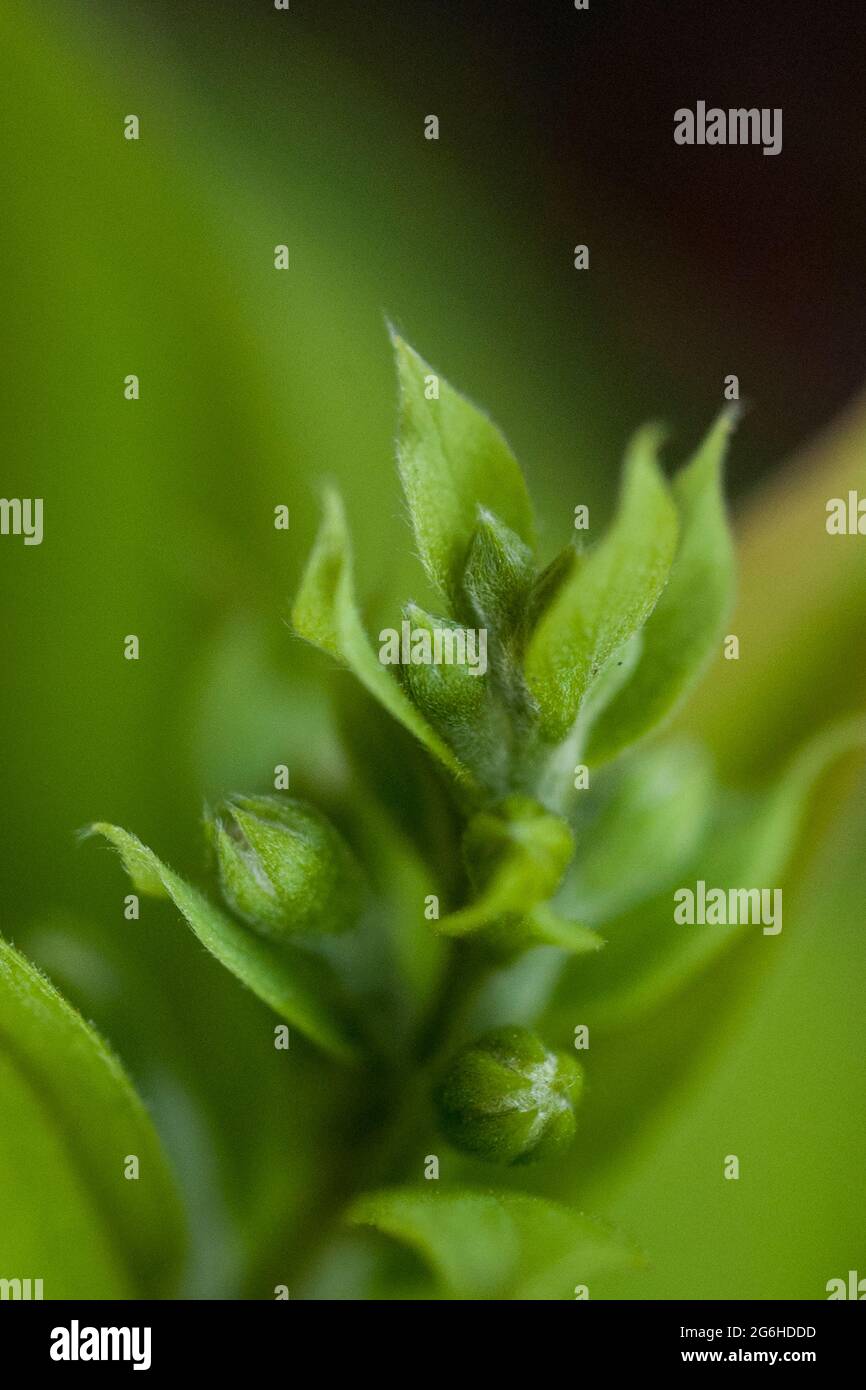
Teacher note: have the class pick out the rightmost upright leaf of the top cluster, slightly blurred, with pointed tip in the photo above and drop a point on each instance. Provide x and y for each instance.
(690, 616)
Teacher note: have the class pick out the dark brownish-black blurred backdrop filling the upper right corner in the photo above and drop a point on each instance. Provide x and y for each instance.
(704, 262)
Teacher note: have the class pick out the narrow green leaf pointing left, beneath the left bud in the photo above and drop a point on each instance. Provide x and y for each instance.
(297, 985)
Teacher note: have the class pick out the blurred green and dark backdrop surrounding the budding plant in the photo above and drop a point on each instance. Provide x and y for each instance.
(156, 258)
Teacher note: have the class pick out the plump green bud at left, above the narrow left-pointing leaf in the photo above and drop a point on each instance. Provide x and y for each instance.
(283, 867)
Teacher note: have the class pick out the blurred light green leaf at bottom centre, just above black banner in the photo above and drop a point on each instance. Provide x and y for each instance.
(497, 1245)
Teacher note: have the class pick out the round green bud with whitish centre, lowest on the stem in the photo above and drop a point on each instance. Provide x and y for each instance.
(509, 1100)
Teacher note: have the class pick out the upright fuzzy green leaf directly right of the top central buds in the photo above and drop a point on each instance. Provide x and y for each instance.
(605, 594)
